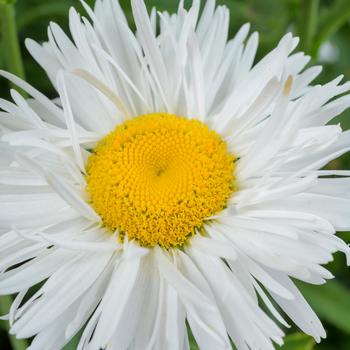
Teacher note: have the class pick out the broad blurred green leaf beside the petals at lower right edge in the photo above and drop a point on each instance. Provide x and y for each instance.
(330, 301)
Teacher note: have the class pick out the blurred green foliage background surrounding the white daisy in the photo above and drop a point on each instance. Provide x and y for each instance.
(323, 26)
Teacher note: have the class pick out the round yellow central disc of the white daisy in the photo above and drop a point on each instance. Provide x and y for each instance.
(157, 177)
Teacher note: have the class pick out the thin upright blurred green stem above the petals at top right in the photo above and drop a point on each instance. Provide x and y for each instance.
(308, 24)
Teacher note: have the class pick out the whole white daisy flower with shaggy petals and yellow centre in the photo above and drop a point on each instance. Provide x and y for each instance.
(172, 181)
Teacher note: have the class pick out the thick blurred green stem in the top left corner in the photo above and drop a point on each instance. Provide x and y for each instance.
(10, 43)
